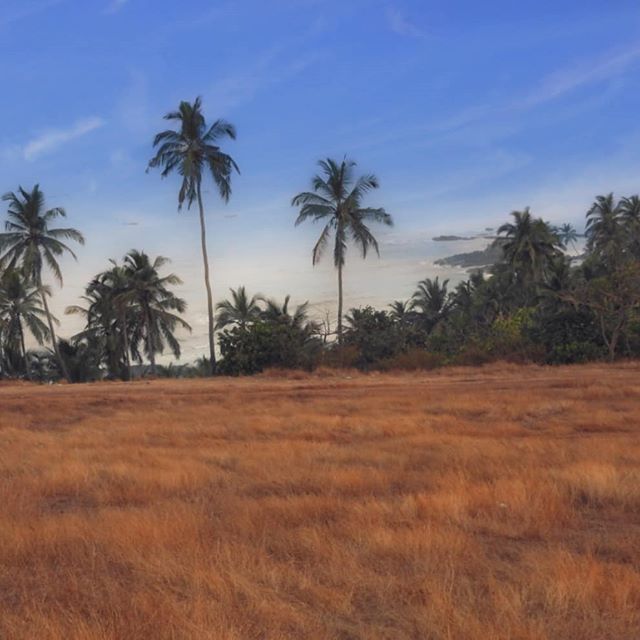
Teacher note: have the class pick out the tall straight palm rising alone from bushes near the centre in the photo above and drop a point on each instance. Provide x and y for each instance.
(336, 200)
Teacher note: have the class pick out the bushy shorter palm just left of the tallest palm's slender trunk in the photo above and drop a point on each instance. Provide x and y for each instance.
(155, 308)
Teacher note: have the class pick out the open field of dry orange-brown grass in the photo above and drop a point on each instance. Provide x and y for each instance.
(464, 504)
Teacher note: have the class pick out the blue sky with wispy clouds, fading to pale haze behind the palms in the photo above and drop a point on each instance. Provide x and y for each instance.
(465, 110)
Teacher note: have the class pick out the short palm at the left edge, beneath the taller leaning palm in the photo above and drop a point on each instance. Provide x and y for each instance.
(20, 306)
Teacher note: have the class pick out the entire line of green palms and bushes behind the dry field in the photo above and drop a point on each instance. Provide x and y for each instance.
(539, 302)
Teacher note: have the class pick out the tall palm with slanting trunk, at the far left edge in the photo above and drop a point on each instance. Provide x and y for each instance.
(29, 243)
